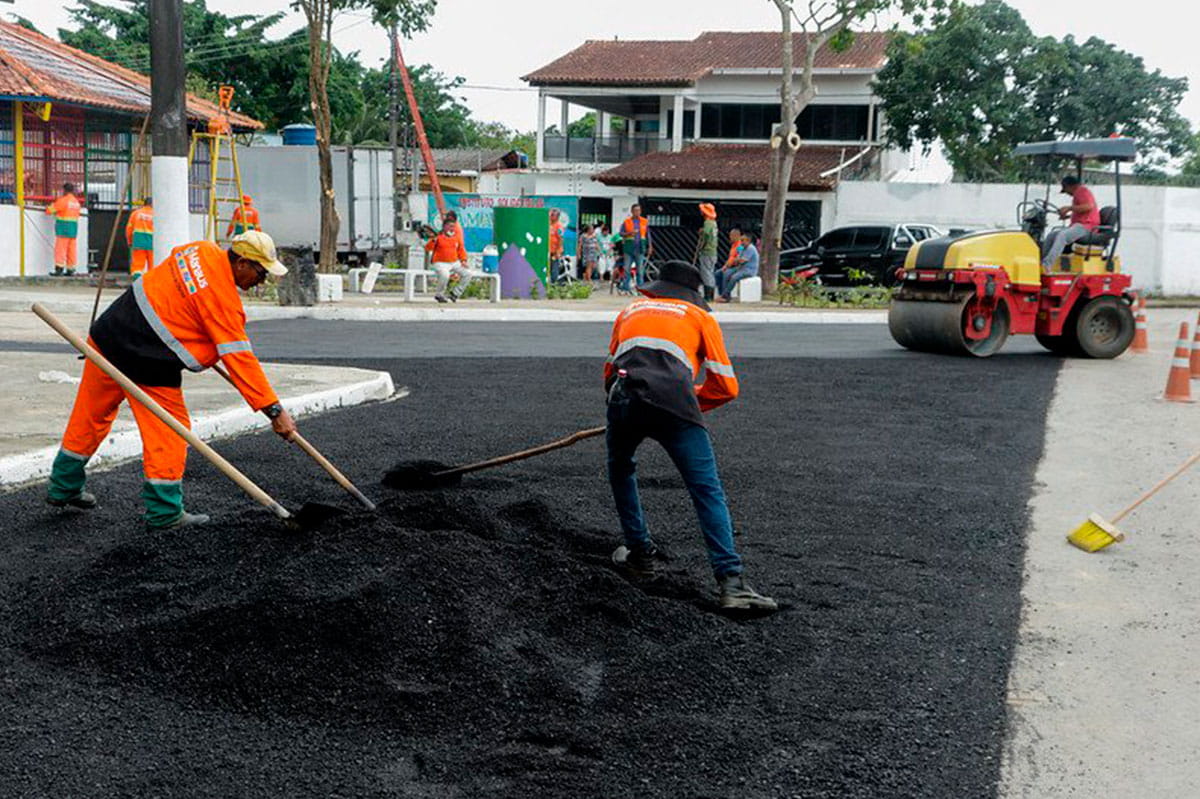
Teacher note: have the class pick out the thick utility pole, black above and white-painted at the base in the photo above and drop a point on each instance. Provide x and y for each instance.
(169, 128)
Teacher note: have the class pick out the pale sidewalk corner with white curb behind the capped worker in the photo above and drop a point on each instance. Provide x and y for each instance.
(40, 389)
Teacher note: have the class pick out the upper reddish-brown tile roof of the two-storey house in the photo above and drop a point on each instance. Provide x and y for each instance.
(682, 63)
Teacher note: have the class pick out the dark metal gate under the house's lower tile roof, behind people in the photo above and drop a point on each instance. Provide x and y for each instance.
(675, 224)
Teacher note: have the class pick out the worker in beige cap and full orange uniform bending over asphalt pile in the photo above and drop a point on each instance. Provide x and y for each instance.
(183, 314)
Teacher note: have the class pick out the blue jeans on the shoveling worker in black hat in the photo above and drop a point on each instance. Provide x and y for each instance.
(691, 449)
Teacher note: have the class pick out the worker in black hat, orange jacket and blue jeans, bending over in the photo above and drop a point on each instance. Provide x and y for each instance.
(668, 367)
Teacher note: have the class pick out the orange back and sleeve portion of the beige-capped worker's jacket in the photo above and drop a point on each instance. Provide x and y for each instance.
(193, 304)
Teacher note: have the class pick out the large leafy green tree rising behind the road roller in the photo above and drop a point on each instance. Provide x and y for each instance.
(982, 83)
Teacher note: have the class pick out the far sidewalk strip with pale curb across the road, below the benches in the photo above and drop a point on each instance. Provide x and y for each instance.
(79, 298)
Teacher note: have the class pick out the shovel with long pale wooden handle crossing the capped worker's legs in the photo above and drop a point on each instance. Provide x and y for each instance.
(311, 515)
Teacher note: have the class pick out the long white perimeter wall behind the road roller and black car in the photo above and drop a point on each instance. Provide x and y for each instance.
(1160, 237)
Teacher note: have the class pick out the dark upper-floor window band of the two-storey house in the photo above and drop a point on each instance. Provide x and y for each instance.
(755, 122)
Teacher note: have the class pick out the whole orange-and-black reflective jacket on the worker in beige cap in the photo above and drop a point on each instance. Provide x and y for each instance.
(184, 314)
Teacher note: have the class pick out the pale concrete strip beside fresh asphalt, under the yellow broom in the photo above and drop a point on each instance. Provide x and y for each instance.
(1103, 698)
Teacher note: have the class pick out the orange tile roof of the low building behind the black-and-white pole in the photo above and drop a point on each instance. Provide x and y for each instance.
(39, 68)
